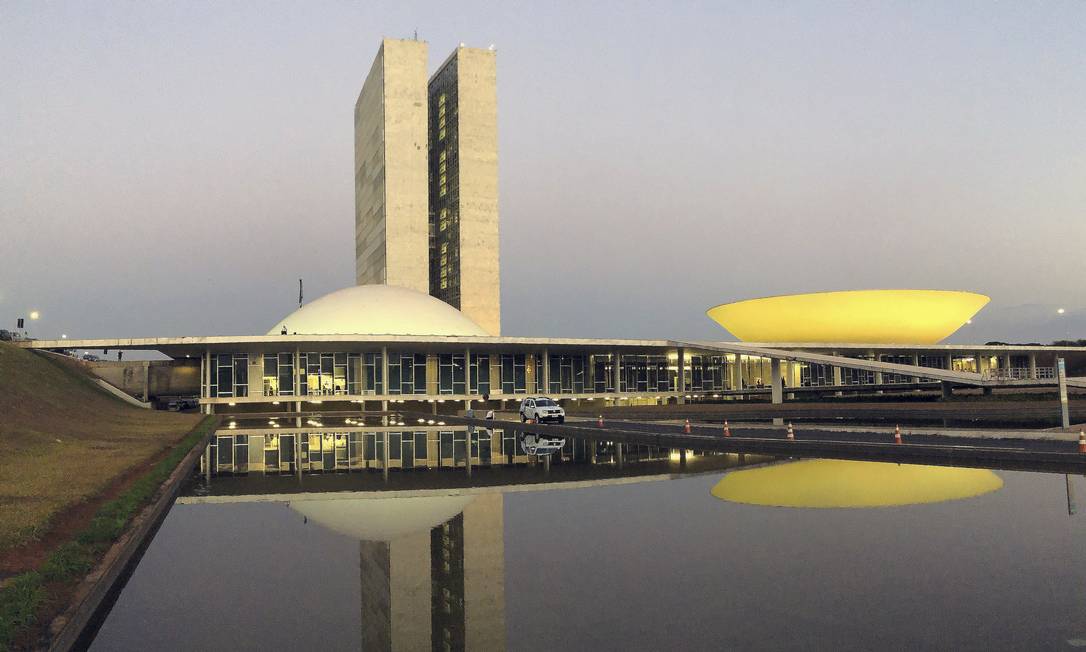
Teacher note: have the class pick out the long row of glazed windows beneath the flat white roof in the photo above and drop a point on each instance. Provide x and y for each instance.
(361, 374)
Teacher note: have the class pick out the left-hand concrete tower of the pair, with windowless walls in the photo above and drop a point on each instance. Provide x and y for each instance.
(390, 153)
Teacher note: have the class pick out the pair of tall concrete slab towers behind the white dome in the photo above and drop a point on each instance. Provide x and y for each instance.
(426, 178)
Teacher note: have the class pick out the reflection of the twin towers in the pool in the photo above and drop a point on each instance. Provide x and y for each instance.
(441, 587)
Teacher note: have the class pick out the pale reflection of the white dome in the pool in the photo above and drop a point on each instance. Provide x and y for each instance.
(382, 519)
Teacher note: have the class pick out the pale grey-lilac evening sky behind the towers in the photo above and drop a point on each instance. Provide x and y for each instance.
(173, 169)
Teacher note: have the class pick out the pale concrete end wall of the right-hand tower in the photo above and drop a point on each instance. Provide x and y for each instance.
(477, 115)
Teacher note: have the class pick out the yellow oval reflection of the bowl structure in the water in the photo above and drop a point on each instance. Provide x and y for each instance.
(847, 484)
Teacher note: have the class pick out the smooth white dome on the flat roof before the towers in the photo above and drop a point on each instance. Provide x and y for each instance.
(377, 310)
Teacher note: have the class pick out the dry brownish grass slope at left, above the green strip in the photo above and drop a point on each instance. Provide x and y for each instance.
(64, 440)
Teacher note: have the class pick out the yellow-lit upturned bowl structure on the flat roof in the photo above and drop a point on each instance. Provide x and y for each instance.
(854, 317)
